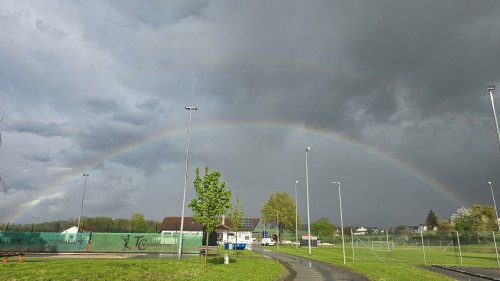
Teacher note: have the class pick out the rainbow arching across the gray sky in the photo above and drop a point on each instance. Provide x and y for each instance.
(59, 182)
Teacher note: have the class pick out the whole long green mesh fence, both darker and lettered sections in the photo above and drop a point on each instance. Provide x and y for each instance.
(43, 242)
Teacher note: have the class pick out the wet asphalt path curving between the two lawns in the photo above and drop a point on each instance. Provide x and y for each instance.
(299, 268)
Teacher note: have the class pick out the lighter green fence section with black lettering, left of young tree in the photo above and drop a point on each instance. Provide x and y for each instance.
(144, 242)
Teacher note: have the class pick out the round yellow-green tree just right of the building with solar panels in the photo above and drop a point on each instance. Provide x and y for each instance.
(280, 207)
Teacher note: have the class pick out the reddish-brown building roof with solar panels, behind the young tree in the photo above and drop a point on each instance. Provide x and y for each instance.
(190, 224)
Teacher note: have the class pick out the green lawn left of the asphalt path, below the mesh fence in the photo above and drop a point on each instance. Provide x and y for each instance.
(244, 267)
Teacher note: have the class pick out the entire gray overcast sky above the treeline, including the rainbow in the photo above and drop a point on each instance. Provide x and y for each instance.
(390, 95)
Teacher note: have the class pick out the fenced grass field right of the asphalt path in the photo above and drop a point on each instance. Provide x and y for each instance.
(401, 264)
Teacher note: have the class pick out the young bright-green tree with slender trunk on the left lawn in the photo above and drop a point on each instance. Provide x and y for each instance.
(211, 201)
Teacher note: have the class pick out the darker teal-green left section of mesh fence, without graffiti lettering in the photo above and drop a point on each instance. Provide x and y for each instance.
(43, 242)
